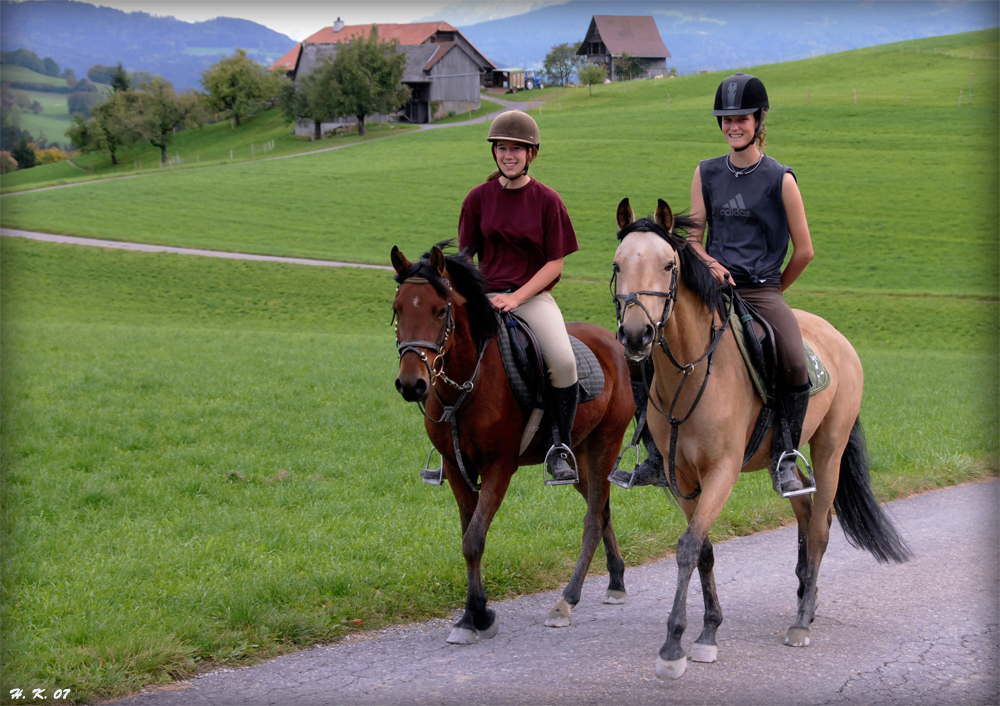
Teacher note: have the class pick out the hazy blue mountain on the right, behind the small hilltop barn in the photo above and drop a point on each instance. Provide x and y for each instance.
(720, 35)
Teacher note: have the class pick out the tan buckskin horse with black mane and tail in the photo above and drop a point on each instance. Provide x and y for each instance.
(702, 413)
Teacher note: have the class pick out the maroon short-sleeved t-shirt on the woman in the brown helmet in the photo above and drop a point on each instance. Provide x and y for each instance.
(514, 232)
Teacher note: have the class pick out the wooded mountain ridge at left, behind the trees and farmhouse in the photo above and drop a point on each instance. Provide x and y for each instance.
(78, 35)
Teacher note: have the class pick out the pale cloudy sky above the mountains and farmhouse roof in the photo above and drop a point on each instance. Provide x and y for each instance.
(300, 18)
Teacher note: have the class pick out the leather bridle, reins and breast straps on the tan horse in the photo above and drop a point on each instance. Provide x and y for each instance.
(622, 302)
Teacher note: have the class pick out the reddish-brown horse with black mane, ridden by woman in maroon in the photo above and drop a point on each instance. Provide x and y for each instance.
(450, 362)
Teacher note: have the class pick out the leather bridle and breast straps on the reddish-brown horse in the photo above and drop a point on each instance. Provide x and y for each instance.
(436, 372)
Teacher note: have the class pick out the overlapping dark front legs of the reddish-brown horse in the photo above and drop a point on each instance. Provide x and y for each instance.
(477, 622)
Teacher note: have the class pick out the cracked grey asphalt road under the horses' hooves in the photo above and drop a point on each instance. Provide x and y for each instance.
(920, 634)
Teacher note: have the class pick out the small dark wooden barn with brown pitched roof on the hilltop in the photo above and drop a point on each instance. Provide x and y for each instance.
(611, 36)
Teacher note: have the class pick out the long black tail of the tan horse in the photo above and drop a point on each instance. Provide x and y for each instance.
(864, 522)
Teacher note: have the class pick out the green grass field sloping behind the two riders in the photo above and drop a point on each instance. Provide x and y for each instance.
(199, 456)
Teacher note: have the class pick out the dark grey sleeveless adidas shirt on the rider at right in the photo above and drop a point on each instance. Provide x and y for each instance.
(745, 219)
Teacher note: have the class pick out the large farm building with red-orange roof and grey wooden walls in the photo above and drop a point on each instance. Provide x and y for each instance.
(443, 70)
